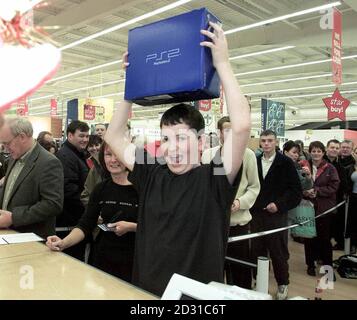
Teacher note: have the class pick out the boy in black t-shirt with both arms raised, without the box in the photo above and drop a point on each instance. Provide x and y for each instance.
(184, 206)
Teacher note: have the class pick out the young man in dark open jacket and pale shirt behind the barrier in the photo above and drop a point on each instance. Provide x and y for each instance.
(280, 191)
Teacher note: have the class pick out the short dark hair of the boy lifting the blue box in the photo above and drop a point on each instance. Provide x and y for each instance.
(183, 113)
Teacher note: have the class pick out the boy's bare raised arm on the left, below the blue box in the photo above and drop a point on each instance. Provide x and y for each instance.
(117, 137)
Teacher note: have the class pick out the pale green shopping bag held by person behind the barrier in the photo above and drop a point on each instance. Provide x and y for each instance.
(302, 213)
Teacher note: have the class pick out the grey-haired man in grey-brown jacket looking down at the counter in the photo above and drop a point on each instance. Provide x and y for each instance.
(32, 195)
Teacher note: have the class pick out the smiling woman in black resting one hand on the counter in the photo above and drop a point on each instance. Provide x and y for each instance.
(116, 201)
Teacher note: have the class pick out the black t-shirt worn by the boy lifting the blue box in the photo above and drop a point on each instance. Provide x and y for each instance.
(183, 224)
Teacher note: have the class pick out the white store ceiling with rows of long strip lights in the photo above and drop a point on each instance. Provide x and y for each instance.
(78, 19)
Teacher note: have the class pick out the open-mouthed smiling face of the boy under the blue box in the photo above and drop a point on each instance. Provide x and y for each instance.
(180, 147)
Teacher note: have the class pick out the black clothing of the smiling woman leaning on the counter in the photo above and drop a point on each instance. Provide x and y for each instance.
(114, 203)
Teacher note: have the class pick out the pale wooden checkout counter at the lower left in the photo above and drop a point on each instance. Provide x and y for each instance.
(32, 271)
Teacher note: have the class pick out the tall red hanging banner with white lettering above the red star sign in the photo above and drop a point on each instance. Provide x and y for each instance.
(337, 47)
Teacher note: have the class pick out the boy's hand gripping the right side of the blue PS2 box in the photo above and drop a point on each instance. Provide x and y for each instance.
(219, 46)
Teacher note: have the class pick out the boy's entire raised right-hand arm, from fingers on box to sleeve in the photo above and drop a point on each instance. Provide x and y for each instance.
(237, 105)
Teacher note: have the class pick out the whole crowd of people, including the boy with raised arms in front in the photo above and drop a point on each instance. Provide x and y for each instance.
(146, 217)
